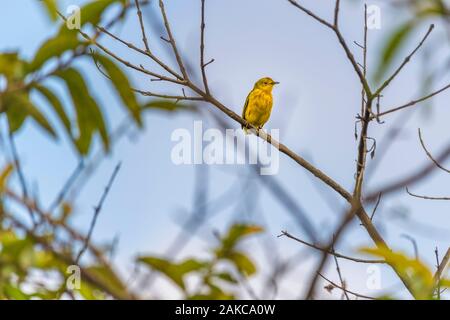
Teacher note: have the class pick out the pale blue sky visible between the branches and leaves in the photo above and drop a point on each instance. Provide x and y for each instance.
(315, 108)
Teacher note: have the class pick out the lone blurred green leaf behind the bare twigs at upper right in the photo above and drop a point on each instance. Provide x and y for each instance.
(392, 47)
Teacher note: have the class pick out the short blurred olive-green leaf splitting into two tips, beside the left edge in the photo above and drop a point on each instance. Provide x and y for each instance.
(18, 107)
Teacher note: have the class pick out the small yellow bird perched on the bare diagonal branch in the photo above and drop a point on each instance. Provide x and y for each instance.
(258, 104)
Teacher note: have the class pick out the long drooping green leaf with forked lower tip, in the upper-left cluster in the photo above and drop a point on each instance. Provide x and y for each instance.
(89, 117)
